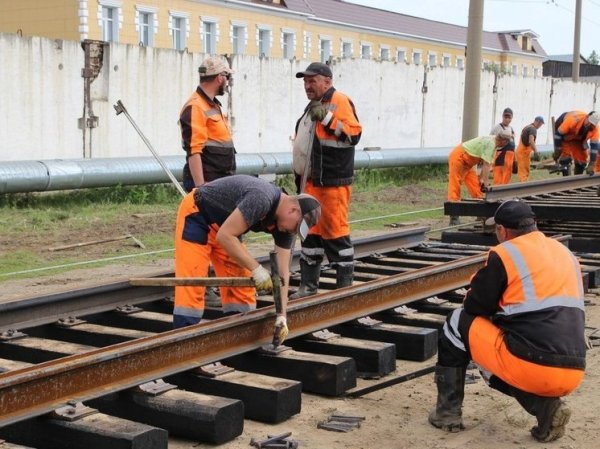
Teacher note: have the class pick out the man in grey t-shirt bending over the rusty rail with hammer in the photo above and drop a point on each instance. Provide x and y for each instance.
(210, 221)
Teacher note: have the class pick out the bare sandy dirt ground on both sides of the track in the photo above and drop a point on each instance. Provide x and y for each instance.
(395, 418)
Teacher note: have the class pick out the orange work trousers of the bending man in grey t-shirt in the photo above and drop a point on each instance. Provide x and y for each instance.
(192, 259)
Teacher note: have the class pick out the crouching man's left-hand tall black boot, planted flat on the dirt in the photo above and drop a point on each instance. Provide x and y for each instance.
(447, 414)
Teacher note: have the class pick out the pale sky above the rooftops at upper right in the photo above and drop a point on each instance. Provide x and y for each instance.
(552, 20)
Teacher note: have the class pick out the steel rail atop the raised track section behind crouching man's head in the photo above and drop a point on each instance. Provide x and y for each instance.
(522, 189)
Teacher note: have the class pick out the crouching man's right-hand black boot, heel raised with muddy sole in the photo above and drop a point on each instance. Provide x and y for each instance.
(552, 415)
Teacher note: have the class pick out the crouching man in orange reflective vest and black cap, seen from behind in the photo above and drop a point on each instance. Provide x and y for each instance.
(522, 322)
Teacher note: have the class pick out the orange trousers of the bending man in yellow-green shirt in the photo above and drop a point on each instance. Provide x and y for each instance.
(461, 169)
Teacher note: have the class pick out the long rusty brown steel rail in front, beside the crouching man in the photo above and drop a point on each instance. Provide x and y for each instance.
(33, 391)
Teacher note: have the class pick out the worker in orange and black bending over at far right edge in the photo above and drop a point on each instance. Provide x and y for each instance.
(572, 132)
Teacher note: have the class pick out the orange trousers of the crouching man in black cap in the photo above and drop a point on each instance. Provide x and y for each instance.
(488, 350)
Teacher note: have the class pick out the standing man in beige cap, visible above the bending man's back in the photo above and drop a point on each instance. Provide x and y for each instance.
(205, 133)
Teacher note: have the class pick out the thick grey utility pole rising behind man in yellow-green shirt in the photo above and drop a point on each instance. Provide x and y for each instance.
(473, 71)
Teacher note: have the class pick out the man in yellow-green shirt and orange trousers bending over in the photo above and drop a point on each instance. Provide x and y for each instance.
(462, 161)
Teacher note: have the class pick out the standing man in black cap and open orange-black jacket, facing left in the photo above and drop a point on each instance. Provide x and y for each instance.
(326, 134)
